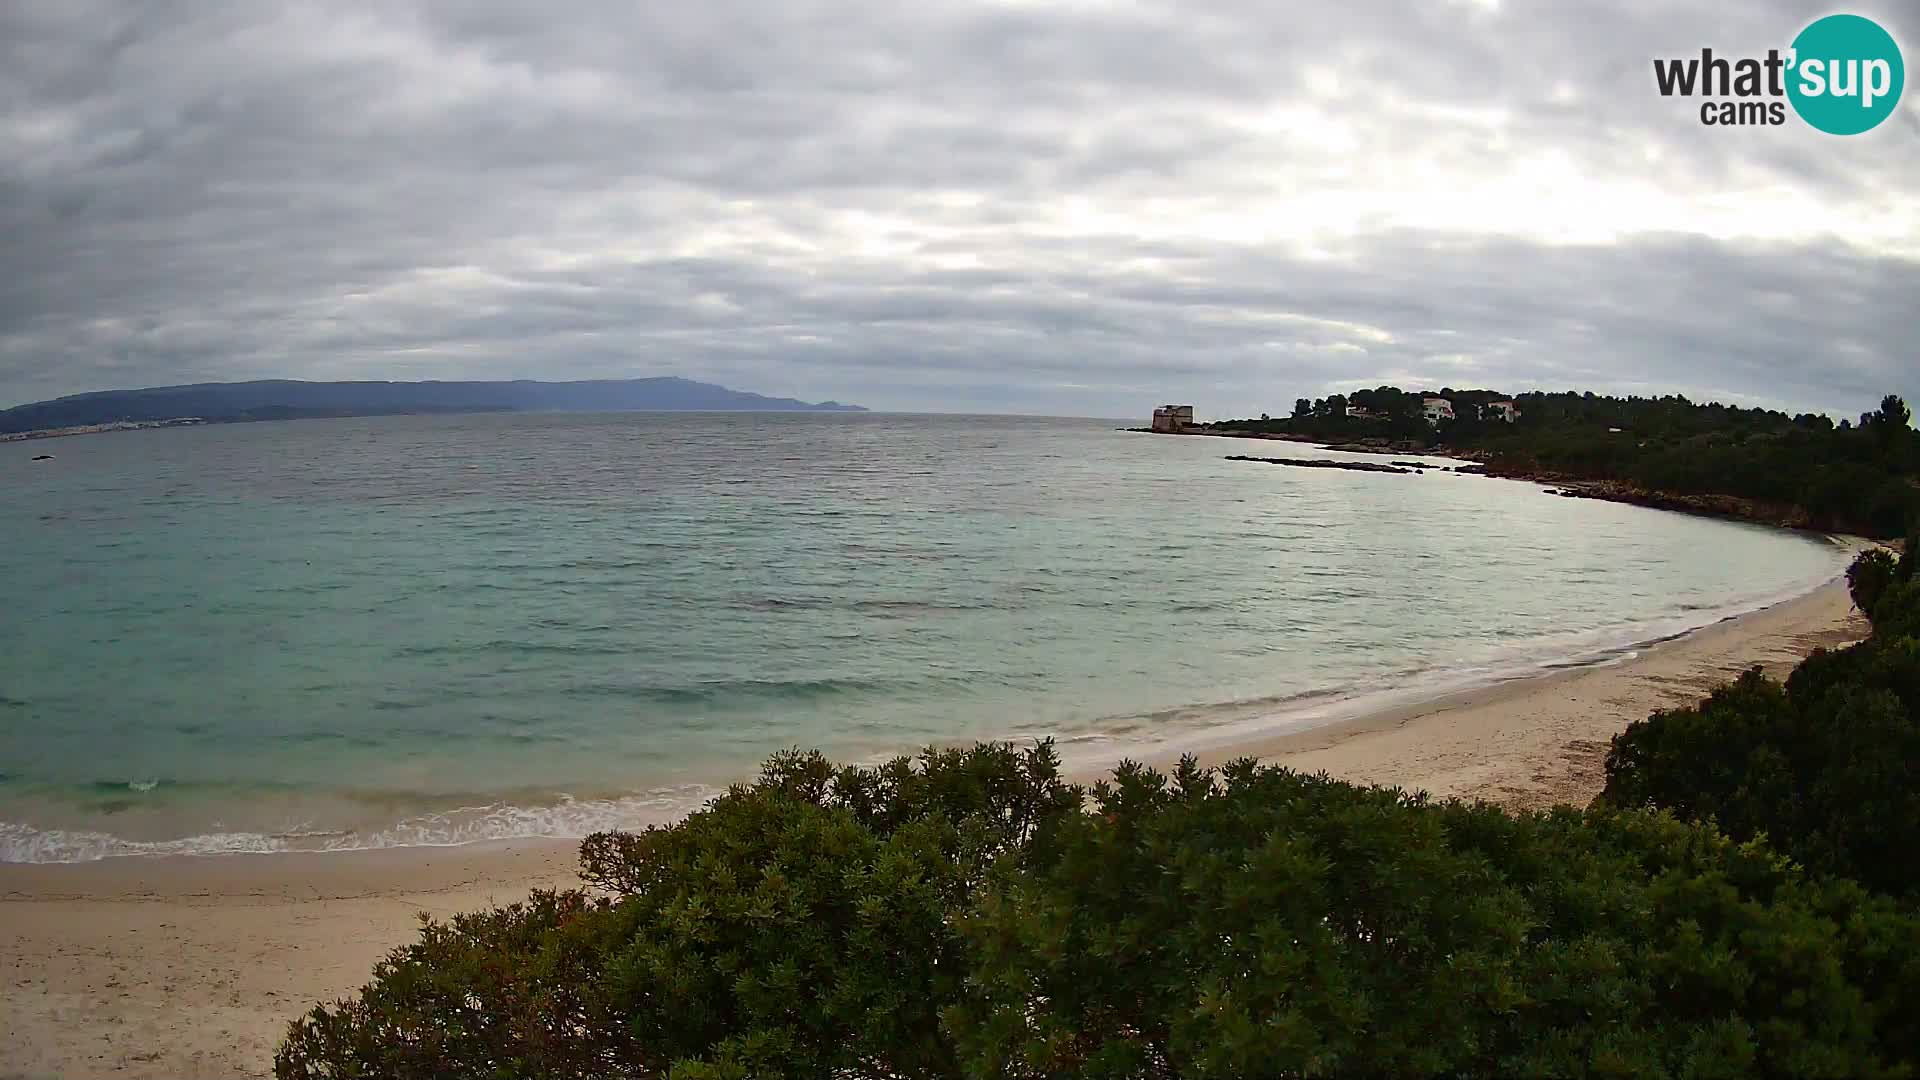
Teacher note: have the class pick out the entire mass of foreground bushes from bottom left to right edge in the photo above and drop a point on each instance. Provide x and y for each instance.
(1740, 902)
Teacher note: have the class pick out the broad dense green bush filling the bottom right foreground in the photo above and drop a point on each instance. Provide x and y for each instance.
(1280, 925)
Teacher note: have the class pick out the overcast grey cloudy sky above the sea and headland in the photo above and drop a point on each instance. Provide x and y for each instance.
(1055, 209)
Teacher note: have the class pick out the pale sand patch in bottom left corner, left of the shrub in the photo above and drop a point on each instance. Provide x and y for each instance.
(191, 968)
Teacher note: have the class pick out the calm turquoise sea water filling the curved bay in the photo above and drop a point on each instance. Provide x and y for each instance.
(439, 629)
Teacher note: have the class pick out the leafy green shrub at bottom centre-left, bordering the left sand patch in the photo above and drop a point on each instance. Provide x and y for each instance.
(800, 927)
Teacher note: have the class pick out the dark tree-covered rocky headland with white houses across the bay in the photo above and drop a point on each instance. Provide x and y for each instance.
(1762, 464)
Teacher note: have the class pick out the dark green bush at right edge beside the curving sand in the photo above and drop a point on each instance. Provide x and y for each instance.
(1825, 766)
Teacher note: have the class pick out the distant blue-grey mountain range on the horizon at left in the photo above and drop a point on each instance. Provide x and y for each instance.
(289, 399)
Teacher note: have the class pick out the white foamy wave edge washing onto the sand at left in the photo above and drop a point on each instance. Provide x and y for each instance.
(565, 820)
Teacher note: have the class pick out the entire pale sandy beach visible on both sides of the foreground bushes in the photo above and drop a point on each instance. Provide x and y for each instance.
(193, 966)
